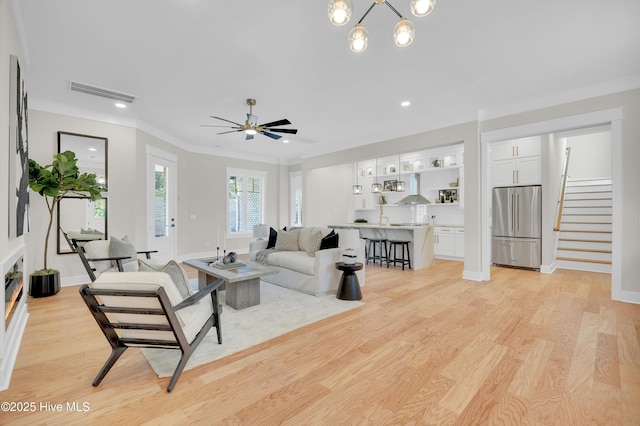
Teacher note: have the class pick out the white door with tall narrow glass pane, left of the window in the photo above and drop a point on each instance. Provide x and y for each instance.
(161, 205)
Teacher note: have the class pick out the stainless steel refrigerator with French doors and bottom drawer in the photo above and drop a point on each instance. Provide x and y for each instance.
(517, 226)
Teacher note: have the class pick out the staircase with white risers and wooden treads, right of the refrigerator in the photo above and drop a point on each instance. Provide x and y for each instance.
(585, 229)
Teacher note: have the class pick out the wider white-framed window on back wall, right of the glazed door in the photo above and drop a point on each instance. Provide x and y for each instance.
(246, 200)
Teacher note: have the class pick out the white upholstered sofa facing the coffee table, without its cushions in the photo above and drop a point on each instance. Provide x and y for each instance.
(316, 275)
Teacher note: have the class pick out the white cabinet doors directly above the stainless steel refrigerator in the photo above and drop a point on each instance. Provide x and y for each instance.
(517, 162)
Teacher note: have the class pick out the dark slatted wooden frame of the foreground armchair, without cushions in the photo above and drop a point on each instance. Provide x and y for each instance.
(119, 344)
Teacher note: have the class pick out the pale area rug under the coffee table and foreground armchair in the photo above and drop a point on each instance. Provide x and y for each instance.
(280, 310)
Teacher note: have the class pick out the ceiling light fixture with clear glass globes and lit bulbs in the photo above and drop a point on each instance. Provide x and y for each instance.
(339, 12)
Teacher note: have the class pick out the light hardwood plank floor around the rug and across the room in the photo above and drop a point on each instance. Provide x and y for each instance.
(426, 348)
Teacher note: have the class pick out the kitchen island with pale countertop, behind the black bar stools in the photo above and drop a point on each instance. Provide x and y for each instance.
(420, 239)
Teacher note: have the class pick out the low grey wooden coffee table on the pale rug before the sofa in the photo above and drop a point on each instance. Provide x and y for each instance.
(242, 283)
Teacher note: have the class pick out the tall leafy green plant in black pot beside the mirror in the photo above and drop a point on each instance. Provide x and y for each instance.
(53, 182)
